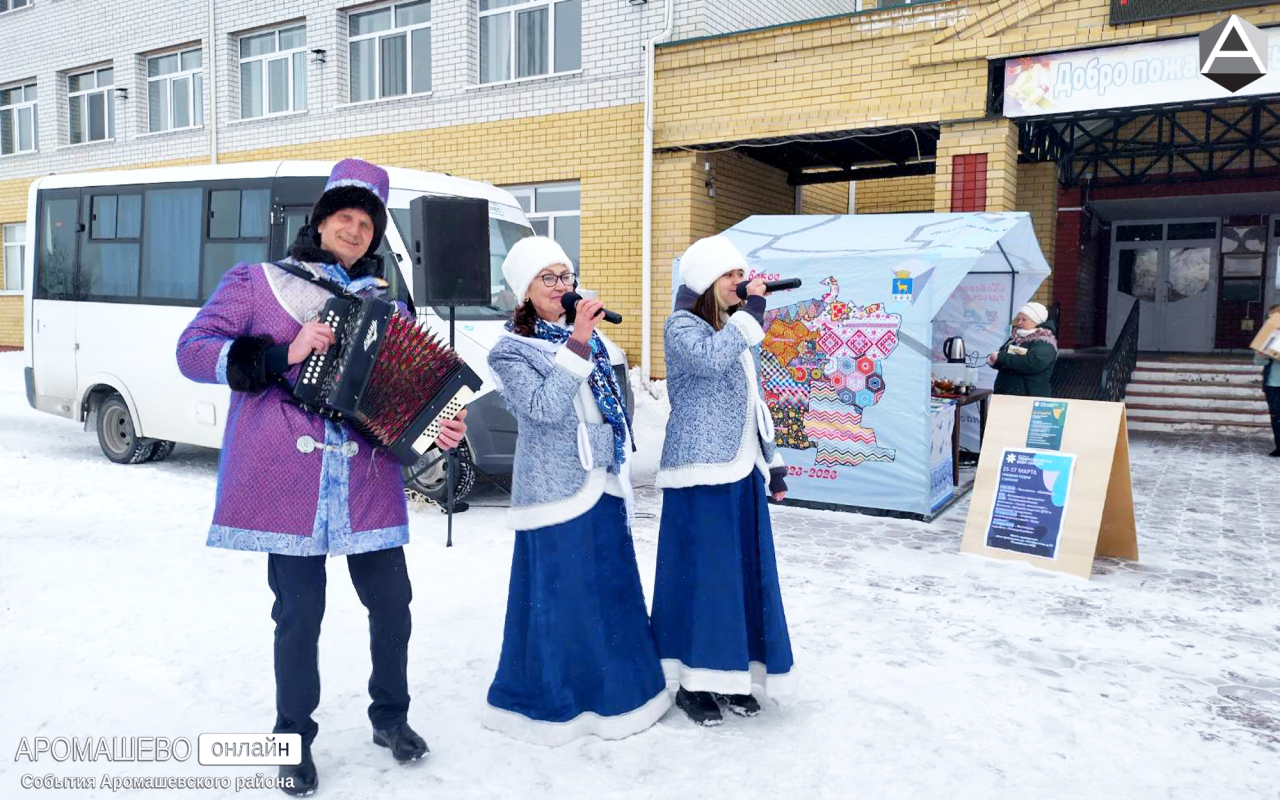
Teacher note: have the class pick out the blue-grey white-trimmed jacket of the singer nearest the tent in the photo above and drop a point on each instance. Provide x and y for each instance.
(720, 427)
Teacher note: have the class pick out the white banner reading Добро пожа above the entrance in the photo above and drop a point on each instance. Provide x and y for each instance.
(1142, 75)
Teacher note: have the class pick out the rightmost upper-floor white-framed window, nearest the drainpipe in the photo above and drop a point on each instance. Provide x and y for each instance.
(524, 39)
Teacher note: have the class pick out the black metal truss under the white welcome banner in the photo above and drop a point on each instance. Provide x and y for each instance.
(1149, 145)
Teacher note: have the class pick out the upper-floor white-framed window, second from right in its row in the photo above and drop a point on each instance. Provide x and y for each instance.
(391, 52)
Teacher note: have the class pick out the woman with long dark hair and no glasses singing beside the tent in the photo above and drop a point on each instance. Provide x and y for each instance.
(717, 609)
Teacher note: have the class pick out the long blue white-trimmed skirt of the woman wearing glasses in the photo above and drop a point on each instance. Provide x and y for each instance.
(578, 653)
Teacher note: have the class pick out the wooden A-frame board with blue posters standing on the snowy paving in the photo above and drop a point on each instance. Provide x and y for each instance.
(1057, 509)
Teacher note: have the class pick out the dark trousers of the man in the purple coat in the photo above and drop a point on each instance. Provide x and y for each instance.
(299, 584)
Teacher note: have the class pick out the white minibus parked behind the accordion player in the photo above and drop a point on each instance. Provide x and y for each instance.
(118, 263)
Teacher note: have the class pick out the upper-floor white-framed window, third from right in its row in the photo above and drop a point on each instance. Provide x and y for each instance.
(275, 72)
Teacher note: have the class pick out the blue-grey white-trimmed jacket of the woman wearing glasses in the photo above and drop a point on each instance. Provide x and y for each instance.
(561, 452)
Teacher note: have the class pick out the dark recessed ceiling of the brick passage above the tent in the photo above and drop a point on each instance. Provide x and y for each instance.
(842, 156)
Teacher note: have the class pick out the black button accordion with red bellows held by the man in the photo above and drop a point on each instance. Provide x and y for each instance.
(391, 380)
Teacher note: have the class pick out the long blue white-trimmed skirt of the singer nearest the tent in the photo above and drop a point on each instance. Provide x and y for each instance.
(717, 607)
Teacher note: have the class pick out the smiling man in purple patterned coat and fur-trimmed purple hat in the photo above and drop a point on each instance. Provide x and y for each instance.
(301, 487)
